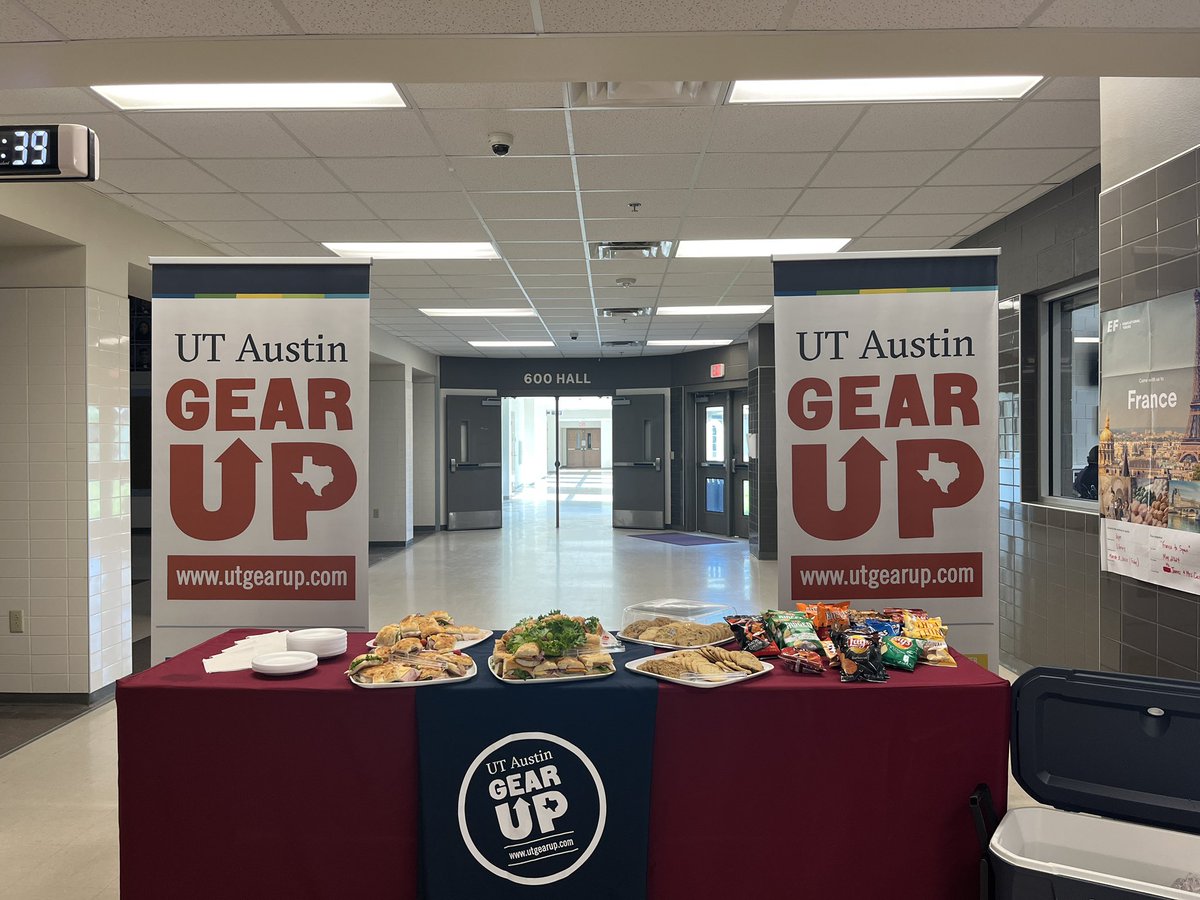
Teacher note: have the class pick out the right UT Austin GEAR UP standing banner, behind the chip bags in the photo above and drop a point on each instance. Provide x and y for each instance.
(887, 436)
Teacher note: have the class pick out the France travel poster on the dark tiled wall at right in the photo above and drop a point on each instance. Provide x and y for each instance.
(1149, 449)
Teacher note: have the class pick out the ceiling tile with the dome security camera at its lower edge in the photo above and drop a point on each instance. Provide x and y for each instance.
(464, 133)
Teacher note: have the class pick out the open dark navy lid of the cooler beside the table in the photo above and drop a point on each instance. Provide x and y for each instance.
(1119, 746)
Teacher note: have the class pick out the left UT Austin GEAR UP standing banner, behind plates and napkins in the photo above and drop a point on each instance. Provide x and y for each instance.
(260, 440)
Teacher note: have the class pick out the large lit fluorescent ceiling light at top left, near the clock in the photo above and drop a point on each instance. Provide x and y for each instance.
(371, 95)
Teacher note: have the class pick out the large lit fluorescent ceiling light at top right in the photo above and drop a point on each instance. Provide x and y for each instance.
(883, 91)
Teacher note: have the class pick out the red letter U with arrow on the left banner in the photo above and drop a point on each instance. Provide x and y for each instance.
(237, 509)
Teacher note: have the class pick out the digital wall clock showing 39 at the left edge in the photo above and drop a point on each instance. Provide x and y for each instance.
(49, 153)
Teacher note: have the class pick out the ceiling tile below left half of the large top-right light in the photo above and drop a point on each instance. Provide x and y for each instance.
(782, 129)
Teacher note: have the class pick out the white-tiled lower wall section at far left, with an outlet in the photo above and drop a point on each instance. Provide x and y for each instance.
(64, 489)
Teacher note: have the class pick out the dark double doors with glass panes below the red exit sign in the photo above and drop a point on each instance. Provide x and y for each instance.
(723, 463)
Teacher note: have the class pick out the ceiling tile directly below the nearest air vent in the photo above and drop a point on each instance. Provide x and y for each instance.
(661, 130)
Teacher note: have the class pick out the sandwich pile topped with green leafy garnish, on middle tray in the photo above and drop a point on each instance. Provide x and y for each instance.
(551, 646)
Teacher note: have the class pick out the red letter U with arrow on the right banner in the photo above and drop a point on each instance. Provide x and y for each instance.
(811, 491)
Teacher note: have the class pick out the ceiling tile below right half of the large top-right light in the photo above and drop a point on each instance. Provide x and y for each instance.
(925, 127)
